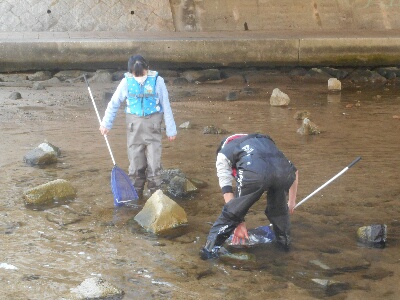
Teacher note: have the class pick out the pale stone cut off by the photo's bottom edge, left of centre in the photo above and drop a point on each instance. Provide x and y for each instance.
(94, 289)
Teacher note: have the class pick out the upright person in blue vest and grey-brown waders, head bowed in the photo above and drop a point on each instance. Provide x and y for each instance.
(147, 103)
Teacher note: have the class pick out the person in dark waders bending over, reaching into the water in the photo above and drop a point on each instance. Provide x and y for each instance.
(258, 166)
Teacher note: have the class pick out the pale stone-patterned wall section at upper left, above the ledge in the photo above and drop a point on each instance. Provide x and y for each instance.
(85, 15)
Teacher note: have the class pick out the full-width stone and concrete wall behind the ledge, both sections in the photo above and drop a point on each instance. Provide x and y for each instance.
(198, 15)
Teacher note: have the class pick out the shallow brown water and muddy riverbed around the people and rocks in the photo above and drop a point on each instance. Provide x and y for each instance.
(50, 251)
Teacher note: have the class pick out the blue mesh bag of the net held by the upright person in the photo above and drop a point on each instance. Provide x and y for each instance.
(122, 187)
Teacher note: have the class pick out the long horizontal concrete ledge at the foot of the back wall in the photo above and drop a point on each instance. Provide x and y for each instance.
(97, 50)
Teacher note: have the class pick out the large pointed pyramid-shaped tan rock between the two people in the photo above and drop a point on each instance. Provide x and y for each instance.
(161, 213)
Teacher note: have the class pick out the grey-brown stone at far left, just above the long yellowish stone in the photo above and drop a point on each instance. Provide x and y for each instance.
(44, 154)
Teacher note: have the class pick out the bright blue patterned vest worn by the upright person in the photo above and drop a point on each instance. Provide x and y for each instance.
(142, 99)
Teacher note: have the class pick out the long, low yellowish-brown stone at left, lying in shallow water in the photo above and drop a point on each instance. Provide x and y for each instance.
(55, 190)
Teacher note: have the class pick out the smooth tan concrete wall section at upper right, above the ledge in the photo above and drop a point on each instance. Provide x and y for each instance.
(317, 15)
